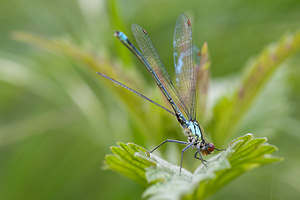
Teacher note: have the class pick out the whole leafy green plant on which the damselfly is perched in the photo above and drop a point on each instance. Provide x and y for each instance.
(243, 153)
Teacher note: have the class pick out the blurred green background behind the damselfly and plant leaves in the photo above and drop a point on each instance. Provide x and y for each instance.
(58, 119)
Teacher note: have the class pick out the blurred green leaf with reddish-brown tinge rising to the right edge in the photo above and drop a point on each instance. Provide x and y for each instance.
(230, 110)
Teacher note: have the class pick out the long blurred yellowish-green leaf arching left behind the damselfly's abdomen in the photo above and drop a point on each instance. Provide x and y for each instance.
(94, 63)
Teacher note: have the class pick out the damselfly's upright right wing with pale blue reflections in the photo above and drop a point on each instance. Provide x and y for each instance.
(184, 64)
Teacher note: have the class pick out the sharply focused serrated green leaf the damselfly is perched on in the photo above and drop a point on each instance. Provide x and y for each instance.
(242, 155)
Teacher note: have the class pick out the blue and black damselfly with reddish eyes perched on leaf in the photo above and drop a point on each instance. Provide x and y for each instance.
(181, 97)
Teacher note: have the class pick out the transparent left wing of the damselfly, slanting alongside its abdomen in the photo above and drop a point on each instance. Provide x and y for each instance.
(151, 56)
